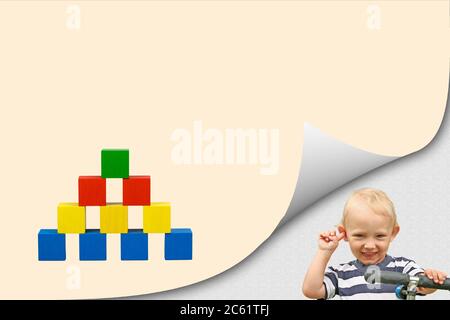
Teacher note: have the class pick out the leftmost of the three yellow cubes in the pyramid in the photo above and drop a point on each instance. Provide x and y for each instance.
(71, 218)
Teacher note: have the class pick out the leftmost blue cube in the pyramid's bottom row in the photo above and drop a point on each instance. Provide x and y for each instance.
(51, 245)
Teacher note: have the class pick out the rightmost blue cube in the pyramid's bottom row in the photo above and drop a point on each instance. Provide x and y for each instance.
(178, 244)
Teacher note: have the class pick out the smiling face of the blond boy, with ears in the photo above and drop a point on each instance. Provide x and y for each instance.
(369, 234)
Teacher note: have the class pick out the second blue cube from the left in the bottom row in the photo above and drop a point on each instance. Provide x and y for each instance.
(92, 245)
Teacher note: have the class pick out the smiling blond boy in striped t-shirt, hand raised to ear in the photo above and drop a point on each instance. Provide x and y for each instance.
(369, 224)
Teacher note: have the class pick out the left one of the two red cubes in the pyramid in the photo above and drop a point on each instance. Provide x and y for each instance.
(91, 191)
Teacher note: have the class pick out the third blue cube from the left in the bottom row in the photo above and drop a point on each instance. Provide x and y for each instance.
(134, 245)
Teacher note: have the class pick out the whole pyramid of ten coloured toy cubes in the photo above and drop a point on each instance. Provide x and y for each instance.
(114, 218)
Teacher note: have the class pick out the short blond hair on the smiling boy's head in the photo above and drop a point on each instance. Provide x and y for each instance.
(377, 200)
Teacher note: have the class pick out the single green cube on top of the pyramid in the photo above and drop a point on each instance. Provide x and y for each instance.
(115, 163)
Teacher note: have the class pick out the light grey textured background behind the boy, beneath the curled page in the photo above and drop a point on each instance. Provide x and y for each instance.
(419, 186)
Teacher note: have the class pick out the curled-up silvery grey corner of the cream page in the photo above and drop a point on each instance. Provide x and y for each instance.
(326, 165)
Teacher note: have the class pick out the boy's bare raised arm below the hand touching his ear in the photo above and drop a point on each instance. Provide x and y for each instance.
(313, 286)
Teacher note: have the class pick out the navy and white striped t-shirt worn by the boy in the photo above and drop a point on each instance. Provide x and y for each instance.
(347, 280)
